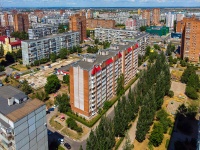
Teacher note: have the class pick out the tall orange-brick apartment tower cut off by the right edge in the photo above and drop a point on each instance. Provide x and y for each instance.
(190, 42)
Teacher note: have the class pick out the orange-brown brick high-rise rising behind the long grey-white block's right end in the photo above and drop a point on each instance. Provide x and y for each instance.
(78, 23)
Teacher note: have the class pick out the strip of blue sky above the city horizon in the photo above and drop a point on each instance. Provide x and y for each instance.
(100, 3)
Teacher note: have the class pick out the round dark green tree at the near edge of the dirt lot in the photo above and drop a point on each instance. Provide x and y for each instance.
(52, 85)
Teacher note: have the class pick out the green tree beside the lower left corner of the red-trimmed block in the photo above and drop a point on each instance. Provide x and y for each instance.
(63, 103)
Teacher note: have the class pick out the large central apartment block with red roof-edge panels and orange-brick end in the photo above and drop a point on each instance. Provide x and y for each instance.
(93, 80)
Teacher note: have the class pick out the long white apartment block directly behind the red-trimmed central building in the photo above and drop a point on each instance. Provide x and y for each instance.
(115, 36)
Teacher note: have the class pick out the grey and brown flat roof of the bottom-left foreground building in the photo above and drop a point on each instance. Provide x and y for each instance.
(17, 111)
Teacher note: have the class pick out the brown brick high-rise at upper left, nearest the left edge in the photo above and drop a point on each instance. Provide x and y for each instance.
(21, 22)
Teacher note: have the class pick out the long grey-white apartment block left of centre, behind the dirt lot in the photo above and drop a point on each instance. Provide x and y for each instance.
(42, 48)
